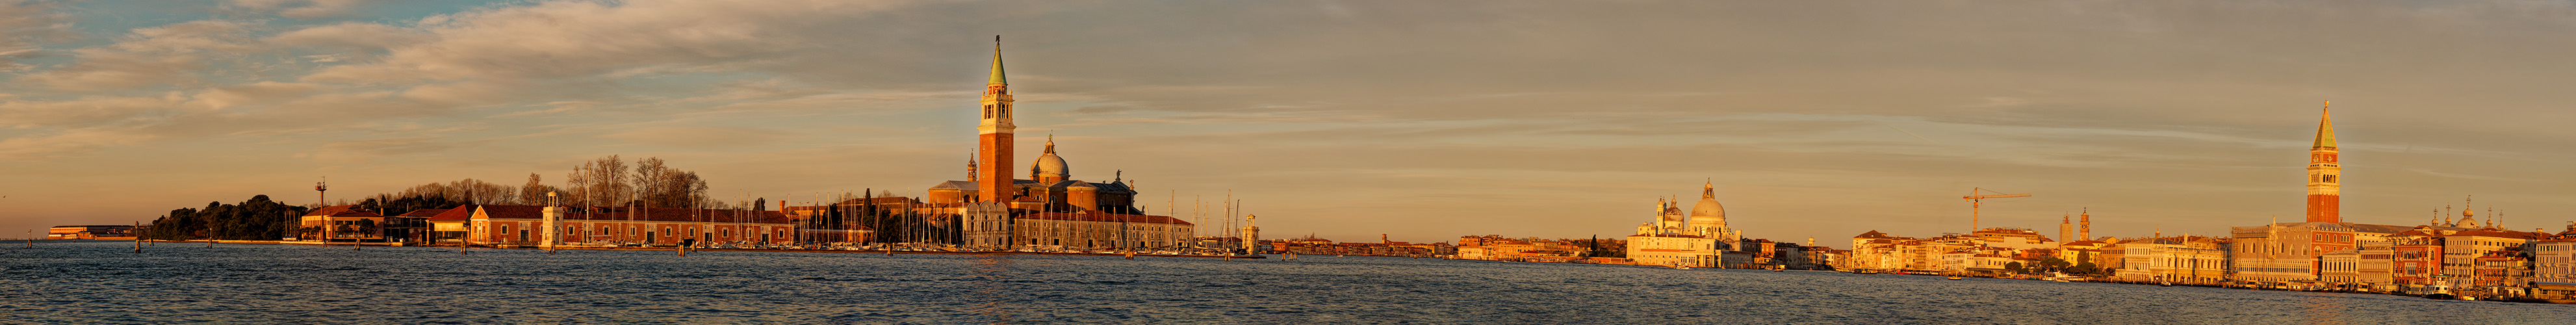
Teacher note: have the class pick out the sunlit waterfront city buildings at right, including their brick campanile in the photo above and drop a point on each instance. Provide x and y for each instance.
(2441, 257)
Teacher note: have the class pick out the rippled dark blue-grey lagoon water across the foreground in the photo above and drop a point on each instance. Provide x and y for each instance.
(176, 282)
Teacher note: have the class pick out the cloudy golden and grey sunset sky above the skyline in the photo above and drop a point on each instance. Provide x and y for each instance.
(1349, 120)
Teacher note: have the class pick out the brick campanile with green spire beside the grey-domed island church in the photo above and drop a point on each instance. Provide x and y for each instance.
(993, 179)
